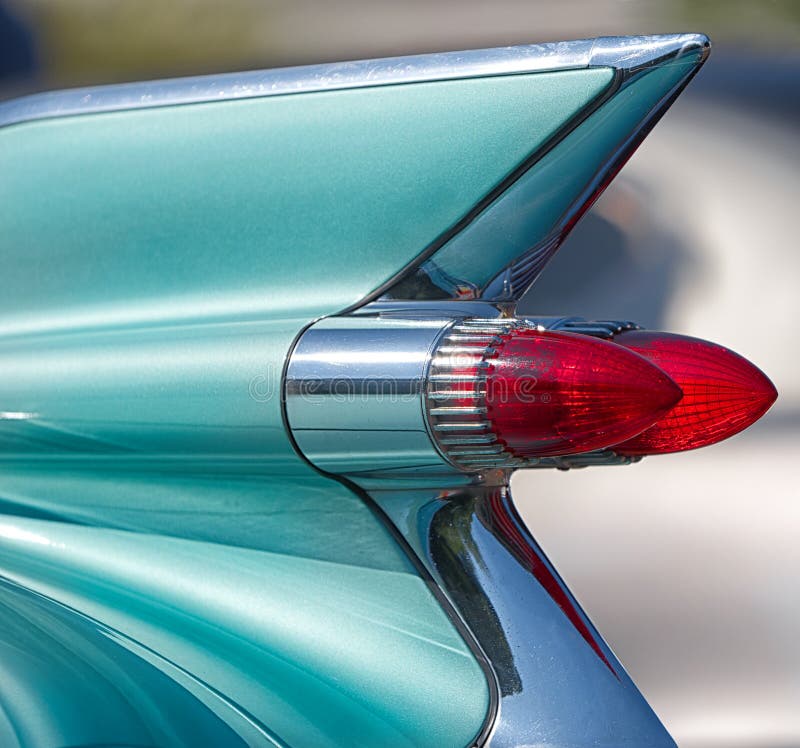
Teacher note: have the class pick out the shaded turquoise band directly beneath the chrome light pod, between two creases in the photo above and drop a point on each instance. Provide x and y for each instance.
(224, 502)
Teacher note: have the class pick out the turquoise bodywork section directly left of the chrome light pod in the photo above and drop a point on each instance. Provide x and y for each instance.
(184, 390)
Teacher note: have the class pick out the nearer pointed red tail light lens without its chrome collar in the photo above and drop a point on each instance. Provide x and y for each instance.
(551, 393)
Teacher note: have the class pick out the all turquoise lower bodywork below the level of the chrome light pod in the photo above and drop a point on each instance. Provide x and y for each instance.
(149, 605)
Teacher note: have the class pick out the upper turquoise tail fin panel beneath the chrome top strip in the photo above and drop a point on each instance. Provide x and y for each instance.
(242, 208)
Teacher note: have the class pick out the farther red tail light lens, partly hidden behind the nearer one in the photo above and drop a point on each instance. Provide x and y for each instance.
(723, 393)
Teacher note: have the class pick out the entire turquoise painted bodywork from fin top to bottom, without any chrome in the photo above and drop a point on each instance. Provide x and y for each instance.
(170, 566)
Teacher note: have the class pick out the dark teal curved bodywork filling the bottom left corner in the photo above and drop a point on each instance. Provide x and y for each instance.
(65, 666)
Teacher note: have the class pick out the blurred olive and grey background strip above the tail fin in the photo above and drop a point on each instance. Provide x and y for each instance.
(94, 41)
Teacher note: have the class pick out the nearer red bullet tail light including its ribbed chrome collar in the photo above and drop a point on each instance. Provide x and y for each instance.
(507, 395)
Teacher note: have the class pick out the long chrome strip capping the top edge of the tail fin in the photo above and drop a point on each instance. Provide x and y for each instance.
(624, 53)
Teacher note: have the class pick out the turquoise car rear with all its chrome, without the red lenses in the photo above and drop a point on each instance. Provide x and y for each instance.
(229, 516)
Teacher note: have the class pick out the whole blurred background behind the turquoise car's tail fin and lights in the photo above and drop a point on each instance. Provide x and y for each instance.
(688, 564)
